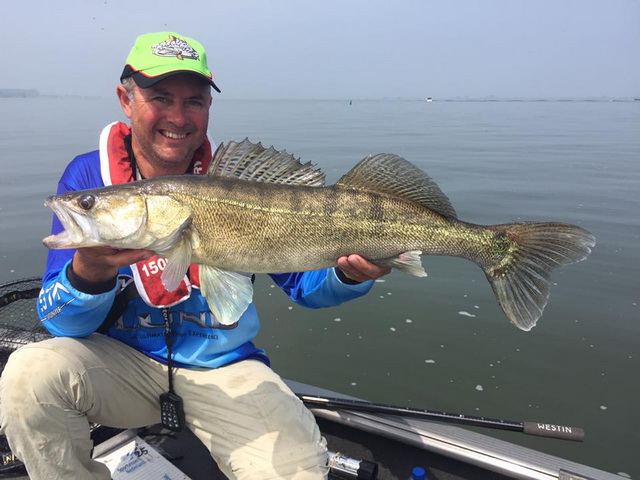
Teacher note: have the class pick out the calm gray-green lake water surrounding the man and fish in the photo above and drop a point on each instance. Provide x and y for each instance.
(439, 342)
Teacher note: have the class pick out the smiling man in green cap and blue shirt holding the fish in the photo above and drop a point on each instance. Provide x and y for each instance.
(240, 409)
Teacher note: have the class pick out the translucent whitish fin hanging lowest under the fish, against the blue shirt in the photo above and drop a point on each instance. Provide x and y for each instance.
(228, 293)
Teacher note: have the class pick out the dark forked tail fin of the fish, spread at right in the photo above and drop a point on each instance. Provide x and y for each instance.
(520, 279)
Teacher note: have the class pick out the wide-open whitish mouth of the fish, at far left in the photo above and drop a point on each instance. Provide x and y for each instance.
(78, 229)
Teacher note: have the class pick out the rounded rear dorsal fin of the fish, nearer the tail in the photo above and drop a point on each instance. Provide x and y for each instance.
(393, 175)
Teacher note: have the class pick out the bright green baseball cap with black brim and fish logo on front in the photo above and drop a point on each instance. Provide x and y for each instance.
(156, 56)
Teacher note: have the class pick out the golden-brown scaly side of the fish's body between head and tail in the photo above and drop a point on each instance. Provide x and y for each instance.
(236, 219)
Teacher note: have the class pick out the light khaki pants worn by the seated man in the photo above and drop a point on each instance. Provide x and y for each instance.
(251, 422)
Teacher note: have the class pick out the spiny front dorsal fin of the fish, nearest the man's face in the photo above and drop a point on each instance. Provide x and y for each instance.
(253, 162)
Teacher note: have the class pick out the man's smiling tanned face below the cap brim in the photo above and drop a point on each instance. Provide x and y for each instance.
(168, 123)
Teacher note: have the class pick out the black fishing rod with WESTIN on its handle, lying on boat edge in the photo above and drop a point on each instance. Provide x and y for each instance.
(539, 429)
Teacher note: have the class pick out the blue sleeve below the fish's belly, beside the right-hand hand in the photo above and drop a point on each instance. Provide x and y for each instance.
(319, 288)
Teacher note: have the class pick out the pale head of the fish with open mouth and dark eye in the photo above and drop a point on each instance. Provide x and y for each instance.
(108, 216)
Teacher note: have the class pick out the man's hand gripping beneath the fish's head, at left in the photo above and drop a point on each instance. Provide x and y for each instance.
(101, 264)
